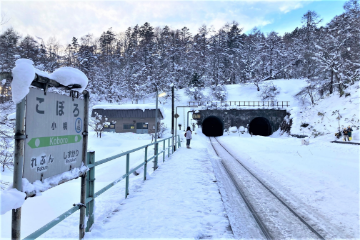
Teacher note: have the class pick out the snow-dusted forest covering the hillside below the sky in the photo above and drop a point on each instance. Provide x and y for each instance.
(133, 63)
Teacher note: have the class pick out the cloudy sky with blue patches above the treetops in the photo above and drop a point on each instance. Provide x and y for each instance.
(67, 19)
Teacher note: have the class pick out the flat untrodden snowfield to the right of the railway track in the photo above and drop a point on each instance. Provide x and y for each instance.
(321, 180)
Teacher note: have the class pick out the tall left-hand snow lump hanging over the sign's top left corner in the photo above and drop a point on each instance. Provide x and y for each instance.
(23, 74)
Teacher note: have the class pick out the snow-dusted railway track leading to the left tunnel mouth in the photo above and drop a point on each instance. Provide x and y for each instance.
(275, 218)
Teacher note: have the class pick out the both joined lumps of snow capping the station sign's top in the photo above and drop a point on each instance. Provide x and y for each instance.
(24, 73)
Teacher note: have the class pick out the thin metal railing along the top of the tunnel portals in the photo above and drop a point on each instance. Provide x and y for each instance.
(281, 104)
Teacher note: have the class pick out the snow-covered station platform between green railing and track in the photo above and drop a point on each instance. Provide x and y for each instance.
(180, 199)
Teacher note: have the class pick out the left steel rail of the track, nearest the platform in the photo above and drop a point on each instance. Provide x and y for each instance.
(262, 226)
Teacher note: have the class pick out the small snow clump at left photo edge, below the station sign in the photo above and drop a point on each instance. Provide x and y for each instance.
(11, 199)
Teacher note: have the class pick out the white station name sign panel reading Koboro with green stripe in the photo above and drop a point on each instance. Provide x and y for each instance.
(54, 127)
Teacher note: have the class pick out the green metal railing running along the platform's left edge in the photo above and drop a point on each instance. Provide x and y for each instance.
(90, 182)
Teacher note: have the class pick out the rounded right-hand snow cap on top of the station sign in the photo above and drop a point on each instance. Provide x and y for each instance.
(69, 76)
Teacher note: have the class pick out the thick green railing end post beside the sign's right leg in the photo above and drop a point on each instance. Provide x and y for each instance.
(90, 191)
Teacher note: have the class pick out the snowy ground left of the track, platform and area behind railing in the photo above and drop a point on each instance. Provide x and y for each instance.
(180, 199)
